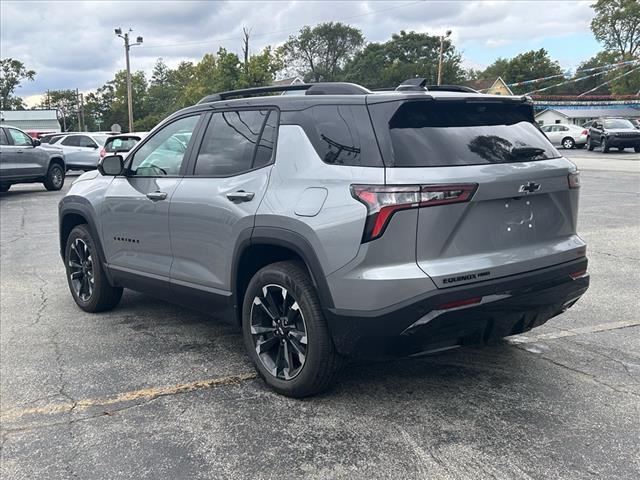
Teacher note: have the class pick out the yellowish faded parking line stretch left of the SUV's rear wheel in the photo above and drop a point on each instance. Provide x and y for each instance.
(143, 394)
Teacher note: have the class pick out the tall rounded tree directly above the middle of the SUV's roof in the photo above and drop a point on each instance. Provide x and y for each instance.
(319, 53)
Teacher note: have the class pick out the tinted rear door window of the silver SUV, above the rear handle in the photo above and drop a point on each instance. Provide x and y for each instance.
(230, 142)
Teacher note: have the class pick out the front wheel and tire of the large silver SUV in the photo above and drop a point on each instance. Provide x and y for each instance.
(96, 295)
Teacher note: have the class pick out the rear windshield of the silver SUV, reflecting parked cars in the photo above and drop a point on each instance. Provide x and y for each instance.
(441, 133)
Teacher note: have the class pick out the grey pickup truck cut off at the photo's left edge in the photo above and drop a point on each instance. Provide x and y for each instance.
(24, 160)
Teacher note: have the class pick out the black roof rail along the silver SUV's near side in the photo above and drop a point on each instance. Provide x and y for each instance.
(322, 88)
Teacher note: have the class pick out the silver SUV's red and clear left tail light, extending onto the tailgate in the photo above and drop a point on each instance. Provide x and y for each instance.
(382, 201)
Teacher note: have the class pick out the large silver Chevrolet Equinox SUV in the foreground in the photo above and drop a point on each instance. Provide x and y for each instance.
(336, 222)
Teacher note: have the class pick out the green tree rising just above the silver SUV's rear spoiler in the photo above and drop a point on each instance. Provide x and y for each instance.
(526, 66)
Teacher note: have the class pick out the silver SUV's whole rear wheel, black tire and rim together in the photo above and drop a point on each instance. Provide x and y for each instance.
(269, 293)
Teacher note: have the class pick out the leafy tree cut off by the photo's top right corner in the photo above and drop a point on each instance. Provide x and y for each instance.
(617, 25)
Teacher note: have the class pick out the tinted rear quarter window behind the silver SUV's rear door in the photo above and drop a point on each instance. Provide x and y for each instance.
(341, 134)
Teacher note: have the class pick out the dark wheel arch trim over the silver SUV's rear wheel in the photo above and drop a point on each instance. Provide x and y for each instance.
(267, 245)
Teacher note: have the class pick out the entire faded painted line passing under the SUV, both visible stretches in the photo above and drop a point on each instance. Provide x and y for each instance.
(155, 392)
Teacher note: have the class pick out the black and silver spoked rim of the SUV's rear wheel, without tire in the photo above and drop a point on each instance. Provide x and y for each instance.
(279, 332)
